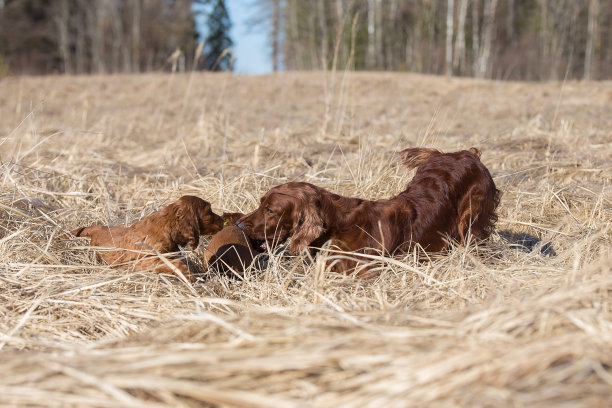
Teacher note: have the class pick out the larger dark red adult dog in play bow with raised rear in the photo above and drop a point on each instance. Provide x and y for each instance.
(451, 195)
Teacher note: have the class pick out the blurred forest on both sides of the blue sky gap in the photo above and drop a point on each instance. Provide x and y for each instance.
(498, 39)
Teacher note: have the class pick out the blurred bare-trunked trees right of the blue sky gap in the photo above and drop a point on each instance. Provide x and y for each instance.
(501, 39)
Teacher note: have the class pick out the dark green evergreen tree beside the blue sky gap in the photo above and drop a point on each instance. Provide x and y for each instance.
(218, 44)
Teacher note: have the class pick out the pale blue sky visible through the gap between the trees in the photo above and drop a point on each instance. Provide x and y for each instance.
(251, 47)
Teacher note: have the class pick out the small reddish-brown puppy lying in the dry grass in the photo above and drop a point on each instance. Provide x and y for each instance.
(180, 223)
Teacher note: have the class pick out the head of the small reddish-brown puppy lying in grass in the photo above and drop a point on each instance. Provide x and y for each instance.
(193, 217)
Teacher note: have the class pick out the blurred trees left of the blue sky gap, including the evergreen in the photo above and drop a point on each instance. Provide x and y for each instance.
(110, 36)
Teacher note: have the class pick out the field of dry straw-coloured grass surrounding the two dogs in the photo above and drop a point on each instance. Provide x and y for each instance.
(522, 321)
